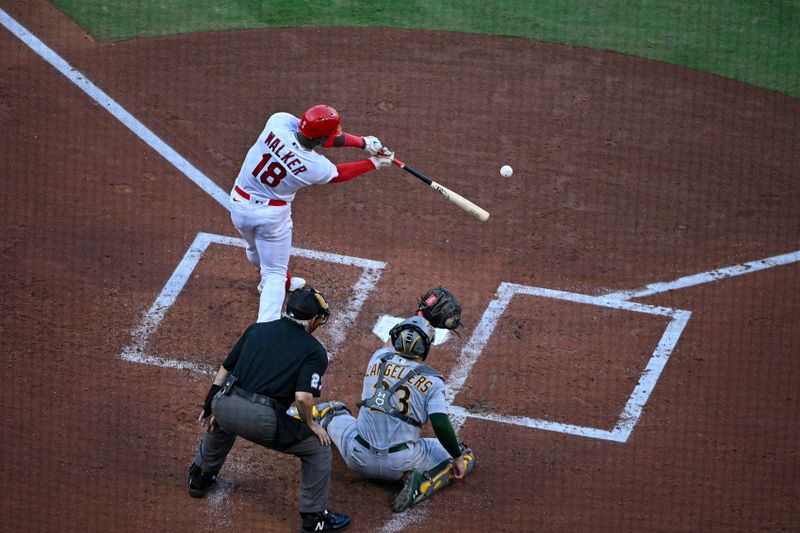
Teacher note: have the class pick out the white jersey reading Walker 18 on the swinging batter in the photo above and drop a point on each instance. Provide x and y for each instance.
(277, 166)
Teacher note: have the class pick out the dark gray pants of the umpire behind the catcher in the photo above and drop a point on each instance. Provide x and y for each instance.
(257, 423)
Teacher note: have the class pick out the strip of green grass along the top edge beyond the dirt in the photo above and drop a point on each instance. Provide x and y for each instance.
(753, 41)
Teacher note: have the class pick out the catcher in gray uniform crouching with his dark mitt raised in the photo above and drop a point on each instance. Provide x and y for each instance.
(399, 395)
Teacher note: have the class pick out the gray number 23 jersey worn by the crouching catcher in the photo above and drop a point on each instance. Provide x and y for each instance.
(417, 398)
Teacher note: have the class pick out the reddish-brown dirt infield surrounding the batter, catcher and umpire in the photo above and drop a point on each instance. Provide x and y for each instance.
(627, 173)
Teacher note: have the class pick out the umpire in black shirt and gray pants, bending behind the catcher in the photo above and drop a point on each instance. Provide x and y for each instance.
(271, 366)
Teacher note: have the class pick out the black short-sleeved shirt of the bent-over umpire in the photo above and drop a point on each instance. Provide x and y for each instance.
(277, 359)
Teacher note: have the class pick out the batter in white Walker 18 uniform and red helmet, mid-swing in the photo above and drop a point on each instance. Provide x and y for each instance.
(282, 161)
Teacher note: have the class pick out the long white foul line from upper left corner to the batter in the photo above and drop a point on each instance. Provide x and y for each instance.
(97, 94)
